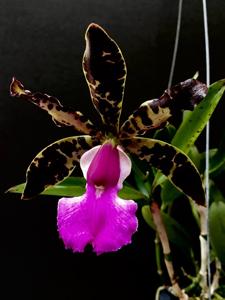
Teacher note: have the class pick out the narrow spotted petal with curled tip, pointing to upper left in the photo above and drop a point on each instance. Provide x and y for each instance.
(61, 116)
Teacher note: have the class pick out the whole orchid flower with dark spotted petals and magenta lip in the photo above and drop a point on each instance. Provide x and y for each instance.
(100, 217)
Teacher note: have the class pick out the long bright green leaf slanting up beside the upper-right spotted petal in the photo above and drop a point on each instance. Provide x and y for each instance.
(195, 121)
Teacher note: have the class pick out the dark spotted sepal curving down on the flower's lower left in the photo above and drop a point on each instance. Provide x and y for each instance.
(55, 163)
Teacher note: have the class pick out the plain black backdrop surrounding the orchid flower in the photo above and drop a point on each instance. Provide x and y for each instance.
(42, 43)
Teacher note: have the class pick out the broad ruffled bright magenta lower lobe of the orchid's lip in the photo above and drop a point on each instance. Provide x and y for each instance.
(105, 221)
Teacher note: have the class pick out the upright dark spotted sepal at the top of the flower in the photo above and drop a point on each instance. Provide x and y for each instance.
(105, 71)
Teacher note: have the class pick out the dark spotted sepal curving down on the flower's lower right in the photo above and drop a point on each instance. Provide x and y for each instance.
(172, 162)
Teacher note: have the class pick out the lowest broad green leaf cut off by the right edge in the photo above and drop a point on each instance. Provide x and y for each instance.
(217, 228)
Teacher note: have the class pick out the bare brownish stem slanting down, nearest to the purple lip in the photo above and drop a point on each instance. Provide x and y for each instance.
(161, 230)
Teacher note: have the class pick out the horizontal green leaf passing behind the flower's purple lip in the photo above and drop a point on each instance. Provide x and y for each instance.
(74, 187)
